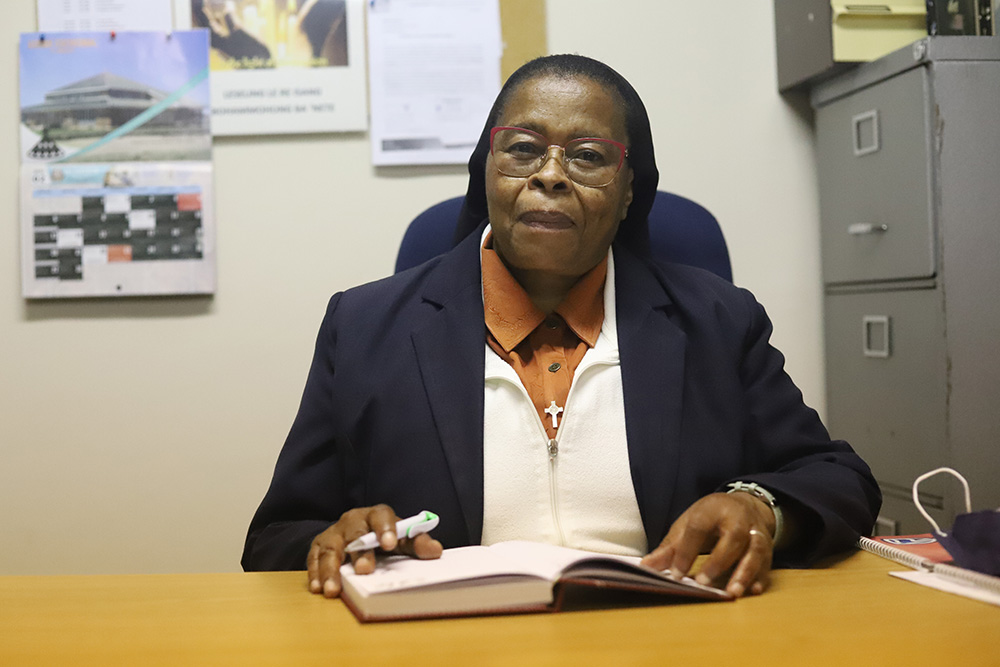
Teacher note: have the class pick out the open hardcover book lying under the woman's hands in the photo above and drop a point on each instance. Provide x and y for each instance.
(505, 578)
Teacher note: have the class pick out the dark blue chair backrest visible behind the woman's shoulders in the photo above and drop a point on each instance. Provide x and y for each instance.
(680, 230)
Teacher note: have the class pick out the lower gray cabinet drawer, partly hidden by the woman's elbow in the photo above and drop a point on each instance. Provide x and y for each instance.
(886, 380)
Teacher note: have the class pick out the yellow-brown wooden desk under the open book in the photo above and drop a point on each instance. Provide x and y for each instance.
(849, 613)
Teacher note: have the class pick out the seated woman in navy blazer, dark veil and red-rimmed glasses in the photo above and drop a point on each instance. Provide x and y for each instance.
(547, 380)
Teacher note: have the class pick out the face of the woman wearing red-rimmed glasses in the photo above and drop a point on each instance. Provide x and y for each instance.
(547, 222)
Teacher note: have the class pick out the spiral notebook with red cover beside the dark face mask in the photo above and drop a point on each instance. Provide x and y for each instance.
(933, 566)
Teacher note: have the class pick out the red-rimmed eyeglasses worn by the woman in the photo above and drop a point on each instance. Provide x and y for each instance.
(589, 161)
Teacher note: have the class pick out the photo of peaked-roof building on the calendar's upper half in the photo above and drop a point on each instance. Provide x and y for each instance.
(107, 97)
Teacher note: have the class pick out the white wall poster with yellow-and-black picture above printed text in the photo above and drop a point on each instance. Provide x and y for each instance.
(283, 66)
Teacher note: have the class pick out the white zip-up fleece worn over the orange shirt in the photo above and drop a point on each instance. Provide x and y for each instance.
(580, 495)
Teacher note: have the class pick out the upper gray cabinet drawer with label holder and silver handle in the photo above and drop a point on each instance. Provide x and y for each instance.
(875, 173)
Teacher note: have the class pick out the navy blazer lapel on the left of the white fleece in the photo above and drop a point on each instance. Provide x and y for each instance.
(450, 351)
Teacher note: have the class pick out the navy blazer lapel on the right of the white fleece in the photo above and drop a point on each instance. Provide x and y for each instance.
(652, 363)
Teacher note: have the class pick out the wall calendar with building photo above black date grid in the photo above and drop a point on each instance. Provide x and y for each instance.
(116, 172)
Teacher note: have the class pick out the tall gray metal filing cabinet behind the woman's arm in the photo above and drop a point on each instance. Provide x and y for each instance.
(909, 174)
